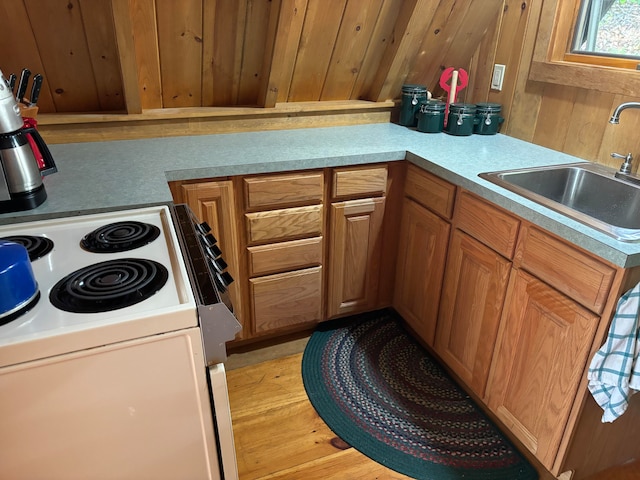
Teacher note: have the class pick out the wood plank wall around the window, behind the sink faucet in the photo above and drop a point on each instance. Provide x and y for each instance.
(568, 119)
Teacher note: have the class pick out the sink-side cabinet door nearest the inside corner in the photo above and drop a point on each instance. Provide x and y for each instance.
(422, 253)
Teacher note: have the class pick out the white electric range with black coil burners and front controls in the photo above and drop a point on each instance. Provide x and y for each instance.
(116, 371)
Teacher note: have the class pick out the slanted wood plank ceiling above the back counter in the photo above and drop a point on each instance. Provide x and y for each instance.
(136, 55)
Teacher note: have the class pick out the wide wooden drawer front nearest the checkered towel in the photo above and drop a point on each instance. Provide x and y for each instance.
(578, 275)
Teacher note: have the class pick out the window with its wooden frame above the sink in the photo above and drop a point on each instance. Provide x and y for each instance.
(592, 44)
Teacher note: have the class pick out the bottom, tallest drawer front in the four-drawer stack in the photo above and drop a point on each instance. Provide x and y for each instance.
(286, 299)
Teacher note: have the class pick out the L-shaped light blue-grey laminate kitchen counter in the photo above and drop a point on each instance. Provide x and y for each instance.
(102, 176)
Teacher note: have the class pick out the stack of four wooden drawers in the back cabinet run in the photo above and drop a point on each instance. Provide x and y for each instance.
(284, 225)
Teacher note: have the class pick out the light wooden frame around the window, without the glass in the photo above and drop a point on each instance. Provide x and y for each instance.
(552, 61)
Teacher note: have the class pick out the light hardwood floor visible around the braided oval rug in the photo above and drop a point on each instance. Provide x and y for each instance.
(278, 434)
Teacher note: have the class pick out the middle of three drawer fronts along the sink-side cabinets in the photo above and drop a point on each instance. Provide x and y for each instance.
(488, 224)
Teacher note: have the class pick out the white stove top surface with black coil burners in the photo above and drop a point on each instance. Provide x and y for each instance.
(75, 258)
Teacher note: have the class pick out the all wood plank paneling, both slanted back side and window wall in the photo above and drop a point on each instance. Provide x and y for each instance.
(141, 56)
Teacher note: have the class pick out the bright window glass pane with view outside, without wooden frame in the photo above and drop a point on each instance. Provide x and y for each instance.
(608, 28)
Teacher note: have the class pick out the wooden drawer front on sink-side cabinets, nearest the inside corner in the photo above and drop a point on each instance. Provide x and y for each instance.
(430, 191)
